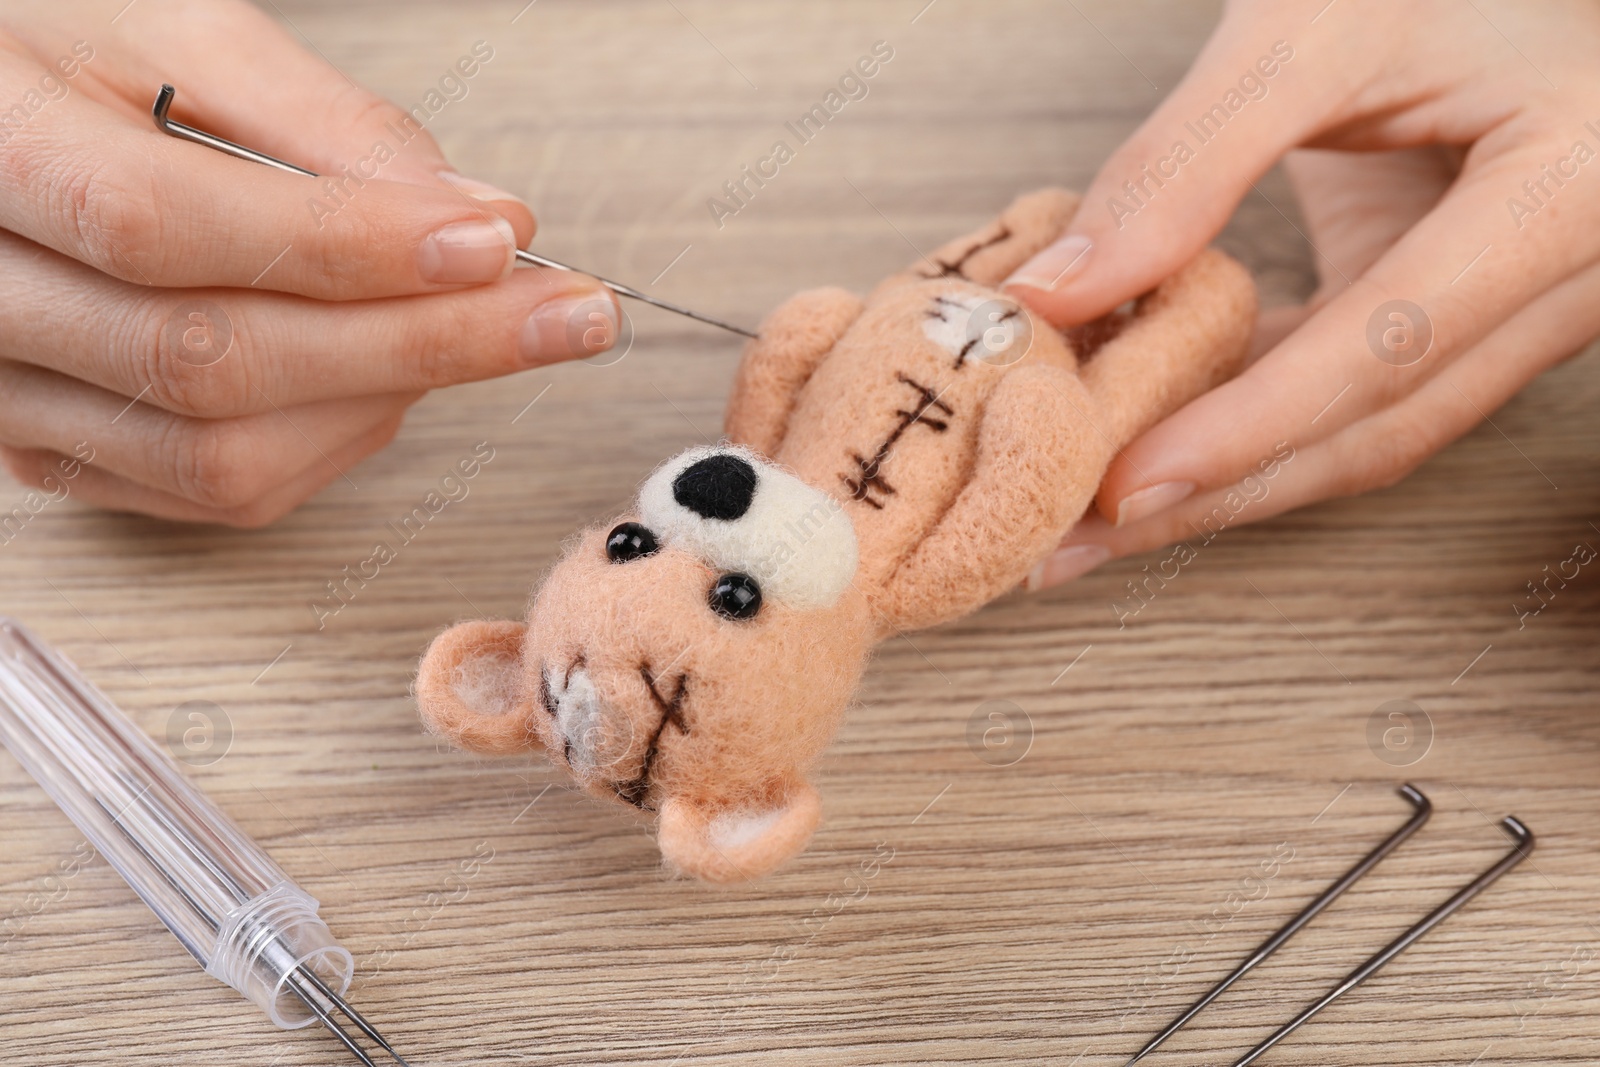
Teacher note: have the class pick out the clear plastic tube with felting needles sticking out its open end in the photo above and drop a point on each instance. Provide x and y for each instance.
(218, 892)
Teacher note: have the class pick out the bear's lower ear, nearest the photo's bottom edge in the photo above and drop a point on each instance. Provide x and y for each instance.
(740, 844)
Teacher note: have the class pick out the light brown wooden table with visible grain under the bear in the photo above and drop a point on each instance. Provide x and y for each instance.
(1057, 909)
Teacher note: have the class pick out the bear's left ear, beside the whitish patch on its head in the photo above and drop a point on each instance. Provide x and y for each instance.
(473, 689)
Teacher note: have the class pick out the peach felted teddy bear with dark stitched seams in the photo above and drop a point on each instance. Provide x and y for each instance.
(890, 465)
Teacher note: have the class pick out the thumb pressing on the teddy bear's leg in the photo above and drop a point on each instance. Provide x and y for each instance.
(1175, 183)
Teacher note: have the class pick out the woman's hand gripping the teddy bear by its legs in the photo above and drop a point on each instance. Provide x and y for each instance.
(1455, 214)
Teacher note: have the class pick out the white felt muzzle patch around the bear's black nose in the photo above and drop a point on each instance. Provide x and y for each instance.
(796, 541)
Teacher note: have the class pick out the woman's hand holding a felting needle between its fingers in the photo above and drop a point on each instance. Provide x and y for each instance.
(220, 340)
